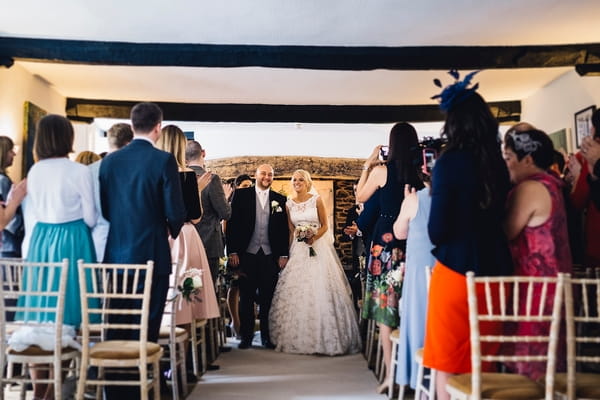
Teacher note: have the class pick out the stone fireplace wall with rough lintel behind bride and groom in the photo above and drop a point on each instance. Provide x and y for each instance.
(343, 172)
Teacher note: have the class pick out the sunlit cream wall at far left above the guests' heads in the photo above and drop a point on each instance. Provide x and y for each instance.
(19, 86)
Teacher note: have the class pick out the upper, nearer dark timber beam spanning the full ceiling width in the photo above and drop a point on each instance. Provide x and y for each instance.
(306, 57)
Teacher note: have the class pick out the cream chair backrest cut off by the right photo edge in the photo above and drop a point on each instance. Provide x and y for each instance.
(582, 303)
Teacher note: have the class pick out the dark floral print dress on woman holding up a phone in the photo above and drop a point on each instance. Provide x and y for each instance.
(384, 276)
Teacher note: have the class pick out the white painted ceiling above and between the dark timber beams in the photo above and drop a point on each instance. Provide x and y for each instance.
(296, 22)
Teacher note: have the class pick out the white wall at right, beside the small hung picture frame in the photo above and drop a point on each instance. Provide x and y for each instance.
(553, 107)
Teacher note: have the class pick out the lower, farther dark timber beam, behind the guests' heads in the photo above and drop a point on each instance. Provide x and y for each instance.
(85, 110)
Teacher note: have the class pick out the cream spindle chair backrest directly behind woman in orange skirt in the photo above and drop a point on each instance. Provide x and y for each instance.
(514, 299)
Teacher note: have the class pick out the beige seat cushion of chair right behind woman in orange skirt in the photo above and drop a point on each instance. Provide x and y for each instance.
(500, 386)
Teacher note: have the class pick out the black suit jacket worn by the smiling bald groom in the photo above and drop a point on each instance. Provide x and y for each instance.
(243, 217)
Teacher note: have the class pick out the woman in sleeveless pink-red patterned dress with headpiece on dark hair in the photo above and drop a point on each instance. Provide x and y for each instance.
(536, 226)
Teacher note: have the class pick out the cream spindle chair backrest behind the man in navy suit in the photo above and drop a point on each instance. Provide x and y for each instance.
(102, 286)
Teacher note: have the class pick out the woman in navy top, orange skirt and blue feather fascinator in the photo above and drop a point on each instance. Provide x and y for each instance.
(469, 187)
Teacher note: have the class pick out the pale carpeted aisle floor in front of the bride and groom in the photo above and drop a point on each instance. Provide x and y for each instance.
(262, 374)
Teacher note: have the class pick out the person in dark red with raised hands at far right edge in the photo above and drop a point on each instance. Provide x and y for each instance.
(582, 176)
